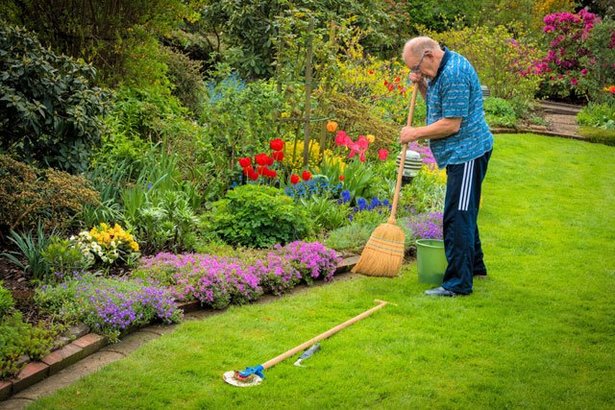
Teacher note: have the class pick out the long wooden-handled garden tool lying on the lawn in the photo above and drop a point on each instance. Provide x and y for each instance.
(254, 375)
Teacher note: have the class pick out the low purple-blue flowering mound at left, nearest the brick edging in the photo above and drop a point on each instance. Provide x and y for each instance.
(109, 306)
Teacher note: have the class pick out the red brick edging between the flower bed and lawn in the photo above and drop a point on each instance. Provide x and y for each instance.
(86, 345)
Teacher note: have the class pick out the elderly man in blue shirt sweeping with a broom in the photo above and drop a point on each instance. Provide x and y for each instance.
(461, 142)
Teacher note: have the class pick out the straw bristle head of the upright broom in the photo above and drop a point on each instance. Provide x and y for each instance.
(383, 254)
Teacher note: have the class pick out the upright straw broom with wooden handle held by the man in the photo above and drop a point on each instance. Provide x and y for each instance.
(383, 254)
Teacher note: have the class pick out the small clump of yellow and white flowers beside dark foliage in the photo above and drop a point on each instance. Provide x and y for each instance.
(107, 244)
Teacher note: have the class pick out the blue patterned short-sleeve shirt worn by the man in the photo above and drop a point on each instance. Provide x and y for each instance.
(455, 93)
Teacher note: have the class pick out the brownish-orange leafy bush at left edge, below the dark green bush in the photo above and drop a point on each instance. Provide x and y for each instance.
(28, 194)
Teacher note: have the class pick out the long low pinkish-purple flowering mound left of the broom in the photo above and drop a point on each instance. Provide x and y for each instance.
(218, 281)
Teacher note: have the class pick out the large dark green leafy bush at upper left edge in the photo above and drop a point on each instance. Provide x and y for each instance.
(49, 112)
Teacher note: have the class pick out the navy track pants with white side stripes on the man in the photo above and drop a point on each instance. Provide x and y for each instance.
(461, 239)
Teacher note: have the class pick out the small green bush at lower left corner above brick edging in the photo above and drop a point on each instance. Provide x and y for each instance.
(17, 339)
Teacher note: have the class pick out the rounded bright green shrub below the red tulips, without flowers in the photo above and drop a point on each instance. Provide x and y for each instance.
(259, 216)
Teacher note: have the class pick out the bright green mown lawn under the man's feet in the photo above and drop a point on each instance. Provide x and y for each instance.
(539, 333)
